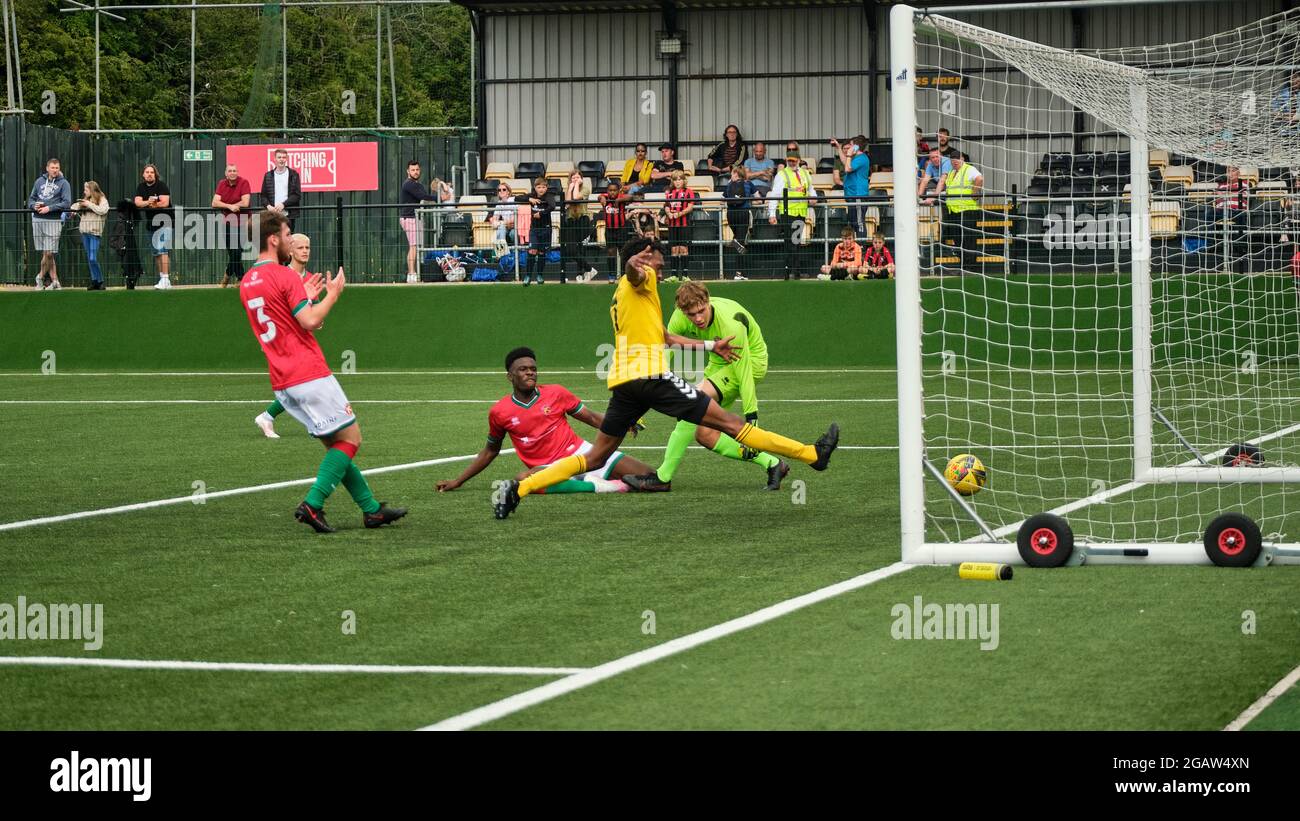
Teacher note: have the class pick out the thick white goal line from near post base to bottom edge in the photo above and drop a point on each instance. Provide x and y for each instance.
(538, 696)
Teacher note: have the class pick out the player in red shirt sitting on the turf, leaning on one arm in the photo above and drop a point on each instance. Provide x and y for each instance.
(535, 418)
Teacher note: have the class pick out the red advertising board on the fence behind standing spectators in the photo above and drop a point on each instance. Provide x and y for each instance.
(323, 167)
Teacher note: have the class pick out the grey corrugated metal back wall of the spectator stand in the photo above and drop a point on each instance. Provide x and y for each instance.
(551, 77)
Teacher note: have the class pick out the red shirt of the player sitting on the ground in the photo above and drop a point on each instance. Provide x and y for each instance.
(540, 431)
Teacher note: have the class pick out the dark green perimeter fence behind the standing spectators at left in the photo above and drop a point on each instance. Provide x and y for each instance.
(352, 227)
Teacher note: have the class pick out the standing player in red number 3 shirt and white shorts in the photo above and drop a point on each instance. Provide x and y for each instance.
(284, 311)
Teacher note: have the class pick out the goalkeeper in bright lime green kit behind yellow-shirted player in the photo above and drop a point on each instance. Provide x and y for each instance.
(700, 316)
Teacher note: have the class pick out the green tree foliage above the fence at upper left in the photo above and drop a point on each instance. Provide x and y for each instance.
(145, 67)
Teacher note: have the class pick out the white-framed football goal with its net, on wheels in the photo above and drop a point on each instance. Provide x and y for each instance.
(1099, 299)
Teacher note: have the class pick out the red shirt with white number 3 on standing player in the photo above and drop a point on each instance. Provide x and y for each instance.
(274, 296)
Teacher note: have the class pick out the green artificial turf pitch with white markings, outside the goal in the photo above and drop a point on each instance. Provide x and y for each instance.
(718, 606)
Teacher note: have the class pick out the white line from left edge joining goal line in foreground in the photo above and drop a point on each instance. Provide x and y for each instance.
(259, 667)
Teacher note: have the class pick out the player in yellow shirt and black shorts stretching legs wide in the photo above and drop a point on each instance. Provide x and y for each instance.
(640, 381)
